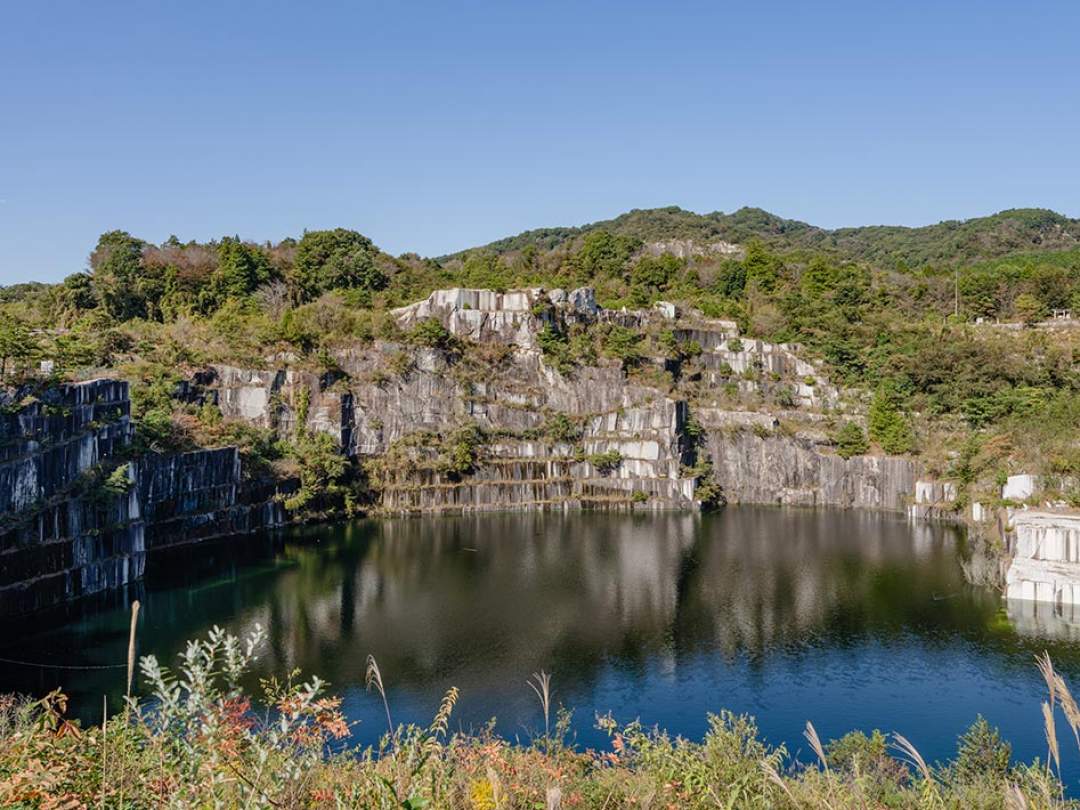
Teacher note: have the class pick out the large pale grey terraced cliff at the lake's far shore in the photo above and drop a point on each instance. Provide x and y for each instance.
(393, 393)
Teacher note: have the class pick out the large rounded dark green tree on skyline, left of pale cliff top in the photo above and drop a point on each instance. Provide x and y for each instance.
(335, 260)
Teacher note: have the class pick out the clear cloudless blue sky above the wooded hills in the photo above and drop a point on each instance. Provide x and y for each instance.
(435, 127)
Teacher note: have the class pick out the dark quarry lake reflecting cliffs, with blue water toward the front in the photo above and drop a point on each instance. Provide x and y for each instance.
(848, 619)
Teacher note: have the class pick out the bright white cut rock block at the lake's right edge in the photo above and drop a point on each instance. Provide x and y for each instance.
(1047, 562)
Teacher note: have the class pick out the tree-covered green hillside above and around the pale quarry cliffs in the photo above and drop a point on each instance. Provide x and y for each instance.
(925, 369)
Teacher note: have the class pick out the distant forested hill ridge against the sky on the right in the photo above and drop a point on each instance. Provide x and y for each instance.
(889, 247)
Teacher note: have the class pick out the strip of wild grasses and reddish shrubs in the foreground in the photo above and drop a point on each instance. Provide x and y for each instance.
(200, 741)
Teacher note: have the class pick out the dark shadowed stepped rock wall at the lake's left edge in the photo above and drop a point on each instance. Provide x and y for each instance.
(67, 533)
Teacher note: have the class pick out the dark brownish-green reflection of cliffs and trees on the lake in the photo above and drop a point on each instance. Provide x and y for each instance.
(482, 602)
